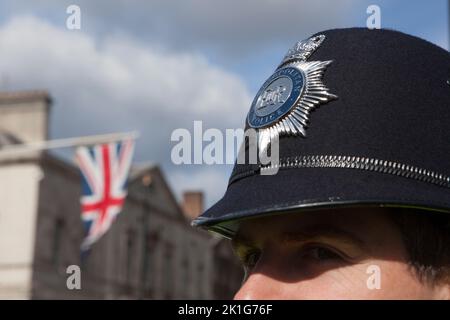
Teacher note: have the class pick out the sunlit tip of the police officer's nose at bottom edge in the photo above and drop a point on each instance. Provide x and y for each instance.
(259, 286)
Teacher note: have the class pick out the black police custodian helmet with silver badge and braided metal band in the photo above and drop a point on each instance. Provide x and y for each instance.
(363, 119)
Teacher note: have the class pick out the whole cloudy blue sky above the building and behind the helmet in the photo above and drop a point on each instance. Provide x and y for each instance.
(155, 66)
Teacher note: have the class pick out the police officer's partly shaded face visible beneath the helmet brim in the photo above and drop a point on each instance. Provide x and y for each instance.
(333, 254)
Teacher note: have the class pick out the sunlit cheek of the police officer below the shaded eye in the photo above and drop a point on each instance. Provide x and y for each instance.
(371, 280)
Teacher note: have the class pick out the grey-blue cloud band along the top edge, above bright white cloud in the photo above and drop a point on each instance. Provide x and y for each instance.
(237, 27)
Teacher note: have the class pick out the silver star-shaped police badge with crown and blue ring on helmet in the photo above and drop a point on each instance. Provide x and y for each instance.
(283, 104)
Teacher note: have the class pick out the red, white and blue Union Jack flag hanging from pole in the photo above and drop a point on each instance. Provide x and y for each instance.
(104, 170)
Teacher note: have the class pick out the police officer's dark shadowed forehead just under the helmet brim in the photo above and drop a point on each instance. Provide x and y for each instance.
(369, 224)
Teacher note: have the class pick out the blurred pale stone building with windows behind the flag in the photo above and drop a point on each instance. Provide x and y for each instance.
(150, 252)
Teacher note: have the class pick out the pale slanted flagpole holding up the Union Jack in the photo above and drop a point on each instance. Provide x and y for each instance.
(14, 149)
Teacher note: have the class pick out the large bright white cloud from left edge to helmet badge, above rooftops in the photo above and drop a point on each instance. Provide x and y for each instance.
(117, 84)
